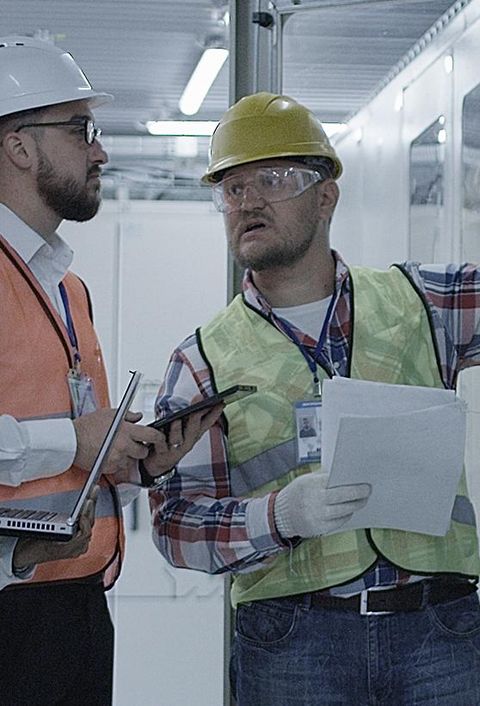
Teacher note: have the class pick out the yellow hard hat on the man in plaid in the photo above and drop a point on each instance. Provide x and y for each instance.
(264, 126)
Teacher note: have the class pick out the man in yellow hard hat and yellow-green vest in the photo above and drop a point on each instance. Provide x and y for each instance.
(323, 616)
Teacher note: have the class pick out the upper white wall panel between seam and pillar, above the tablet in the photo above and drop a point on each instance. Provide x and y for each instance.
(173, 266)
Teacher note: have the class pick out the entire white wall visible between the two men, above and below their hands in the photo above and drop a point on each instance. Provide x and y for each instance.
(156, 271)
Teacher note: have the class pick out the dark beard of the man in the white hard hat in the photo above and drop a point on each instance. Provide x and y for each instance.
(63, 195)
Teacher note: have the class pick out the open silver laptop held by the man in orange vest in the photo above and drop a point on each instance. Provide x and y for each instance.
(48, 524)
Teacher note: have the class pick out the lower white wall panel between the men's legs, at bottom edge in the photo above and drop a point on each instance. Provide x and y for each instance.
(167, 651)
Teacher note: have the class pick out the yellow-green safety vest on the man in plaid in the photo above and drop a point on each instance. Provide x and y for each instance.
(392, 342)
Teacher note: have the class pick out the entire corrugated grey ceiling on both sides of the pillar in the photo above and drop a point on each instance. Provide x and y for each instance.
(336, 55)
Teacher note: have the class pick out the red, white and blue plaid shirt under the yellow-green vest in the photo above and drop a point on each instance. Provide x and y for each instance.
(197, 523)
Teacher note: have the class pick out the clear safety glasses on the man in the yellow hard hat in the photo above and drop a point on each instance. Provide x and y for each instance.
(270, 183)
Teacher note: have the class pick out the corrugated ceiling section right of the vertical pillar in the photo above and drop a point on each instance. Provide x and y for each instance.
(355, 44)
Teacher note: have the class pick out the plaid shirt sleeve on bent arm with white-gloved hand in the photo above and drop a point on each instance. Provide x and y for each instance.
(197, 524)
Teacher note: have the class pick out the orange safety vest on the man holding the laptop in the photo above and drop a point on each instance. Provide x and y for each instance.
(35, 356)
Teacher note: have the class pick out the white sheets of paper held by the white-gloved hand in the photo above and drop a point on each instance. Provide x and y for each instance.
(406, 441)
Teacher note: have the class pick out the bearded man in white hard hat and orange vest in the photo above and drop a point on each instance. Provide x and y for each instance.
(56, 642)
